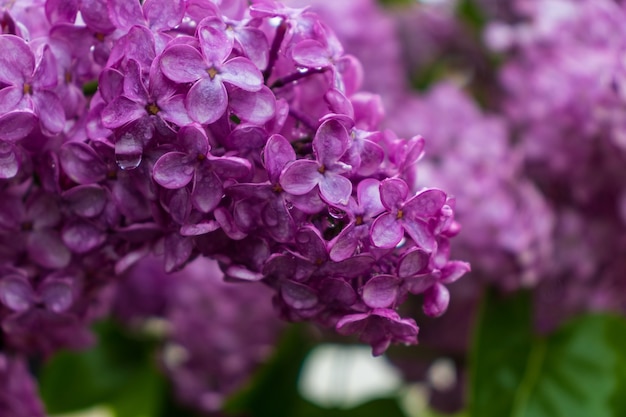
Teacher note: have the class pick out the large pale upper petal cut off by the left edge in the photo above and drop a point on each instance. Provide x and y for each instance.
(17, 62)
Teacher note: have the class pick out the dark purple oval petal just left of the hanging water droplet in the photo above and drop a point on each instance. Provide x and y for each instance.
(81, 163)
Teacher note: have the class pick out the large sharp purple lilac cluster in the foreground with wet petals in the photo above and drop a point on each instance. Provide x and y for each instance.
(218, 129)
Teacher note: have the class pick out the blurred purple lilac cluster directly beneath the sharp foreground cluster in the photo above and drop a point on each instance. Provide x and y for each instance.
(212, 334)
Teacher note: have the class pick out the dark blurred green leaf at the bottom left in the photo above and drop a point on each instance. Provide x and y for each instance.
(118, 372)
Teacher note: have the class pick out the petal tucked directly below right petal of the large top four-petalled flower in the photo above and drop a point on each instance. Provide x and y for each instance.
(254, 107)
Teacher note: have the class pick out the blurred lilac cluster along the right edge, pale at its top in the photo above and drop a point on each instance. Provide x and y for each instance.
(568, 114)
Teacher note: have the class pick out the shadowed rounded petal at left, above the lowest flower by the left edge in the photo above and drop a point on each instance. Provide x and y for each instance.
(46, 249)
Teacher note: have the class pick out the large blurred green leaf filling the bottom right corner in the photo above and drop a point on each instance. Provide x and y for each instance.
(576, 371)
